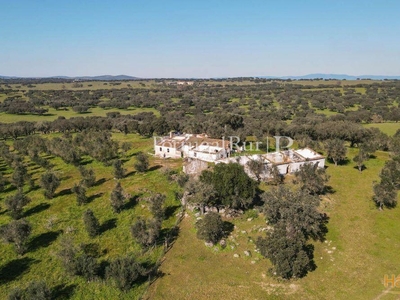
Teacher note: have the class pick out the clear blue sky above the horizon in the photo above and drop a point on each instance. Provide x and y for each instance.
(199, 39)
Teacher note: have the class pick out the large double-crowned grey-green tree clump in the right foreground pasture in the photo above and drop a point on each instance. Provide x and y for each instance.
(295, 218)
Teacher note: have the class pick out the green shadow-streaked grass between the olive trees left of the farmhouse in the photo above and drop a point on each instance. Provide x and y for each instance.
(62, 212)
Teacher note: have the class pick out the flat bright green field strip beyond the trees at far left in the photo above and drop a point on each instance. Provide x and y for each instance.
(54, 114)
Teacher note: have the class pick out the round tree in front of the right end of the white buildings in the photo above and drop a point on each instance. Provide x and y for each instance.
(312, 178)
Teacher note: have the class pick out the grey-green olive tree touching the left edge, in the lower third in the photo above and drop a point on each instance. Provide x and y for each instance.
(17, 233)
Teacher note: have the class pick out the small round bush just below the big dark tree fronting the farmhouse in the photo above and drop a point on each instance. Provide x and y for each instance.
(210, 228)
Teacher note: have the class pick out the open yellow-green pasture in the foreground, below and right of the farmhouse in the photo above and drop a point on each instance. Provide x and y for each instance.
(362, 246)
